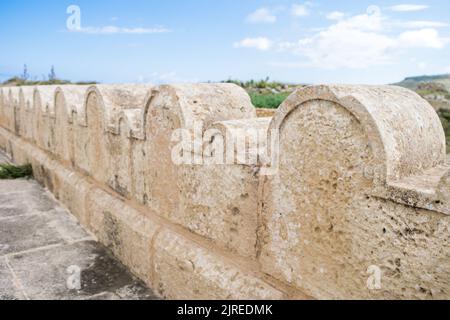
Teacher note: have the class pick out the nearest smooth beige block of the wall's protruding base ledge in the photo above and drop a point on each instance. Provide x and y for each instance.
(203, 275)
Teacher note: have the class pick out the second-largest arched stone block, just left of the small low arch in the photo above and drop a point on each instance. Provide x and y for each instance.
(160, 183)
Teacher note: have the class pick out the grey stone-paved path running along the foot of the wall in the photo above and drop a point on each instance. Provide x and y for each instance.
(46, 254)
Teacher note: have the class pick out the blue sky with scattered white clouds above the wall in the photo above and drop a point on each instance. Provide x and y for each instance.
(321, 41)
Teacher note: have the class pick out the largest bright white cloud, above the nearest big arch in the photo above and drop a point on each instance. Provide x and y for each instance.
(359, 42)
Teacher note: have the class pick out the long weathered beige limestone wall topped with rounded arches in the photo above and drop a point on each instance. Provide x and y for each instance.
(361, 188)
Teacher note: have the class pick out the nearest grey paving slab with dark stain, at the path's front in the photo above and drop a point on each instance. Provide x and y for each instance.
(101, 275)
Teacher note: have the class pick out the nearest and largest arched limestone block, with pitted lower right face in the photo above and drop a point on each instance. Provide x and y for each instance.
(322, 227)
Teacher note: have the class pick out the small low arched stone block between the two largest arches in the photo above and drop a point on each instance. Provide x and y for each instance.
(220, 198)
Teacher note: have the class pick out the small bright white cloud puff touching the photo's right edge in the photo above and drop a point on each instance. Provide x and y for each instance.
(424, 38)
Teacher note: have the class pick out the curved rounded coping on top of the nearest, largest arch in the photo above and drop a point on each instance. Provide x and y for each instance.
(404, 131)
